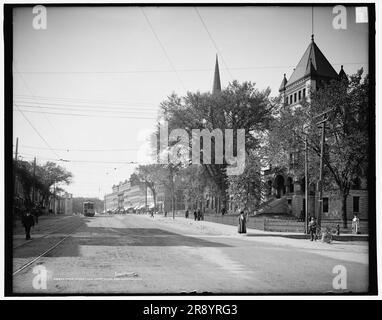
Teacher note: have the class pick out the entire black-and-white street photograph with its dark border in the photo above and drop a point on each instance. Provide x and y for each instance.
(197, 149)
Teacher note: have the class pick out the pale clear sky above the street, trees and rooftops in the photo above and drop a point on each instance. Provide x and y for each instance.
(87, 88)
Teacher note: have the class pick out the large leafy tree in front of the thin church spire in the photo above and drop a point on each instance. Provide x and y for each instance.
(239, 106)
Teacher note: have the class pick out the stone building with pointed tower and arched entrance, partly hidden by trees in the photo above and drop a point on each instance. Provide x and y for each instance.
(286, 190)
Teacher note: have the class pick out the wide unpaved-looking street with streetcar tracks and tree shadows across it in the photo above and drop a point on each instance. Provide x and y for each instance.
(138, 254)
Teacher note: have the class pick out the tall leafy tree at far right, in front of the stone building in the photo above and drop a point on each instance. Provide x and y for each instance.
(347, 139)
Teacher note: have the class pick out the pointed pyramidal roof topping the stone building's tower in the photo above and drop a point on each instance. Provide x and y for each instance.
(313, 63)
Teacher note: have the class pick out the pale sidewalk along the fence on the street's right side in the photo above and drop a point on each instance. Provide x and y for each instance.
(213, 228)
